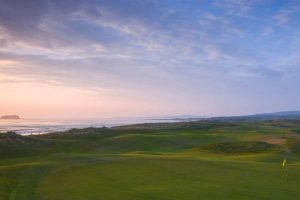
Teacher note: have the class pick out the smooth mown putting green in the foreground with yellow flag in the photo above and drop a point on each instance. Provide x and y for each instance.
(170, 179)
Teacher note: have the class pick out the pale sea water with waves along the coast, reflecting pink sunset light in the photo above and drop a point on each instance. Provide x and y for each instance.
(41, 126)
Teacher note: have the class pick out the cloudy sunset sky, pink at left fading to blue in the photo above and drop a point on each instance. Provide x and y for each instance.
(134, 58)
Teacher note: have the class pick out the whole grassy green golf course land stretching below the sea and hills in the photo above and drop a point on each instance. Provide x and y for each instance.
(210, 159)
